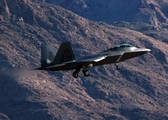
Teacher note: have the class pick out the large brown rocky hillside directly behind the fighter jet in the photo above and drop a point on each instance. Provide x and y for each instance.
(138, 90)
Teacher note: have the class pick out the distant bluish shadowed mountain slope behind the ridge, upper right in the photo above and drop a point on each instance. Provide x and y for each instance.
(147, 11)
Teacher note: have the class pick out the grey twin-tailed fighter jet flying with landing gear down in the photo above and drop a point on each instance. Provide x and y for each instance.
(65, 59)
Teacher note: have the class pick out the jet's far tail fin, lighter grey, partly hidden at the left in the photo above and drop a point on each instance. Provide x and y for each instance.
(47, 55)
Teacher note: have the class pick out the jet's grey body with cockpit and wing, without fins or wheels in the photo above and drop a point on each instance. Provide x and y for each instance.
(113, 55)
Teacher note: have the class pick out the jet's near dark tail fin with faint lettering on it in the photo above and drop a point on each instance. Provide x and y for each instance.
(64, 53)
